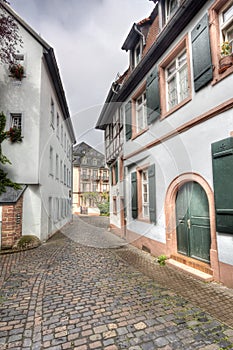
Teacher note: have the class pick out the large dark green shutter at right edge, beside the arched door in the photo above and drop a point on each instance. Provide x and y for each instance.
(222, 157)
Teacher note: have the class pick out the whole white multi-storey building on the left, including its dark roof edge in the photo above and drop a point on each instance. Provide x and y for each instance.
(43, 160)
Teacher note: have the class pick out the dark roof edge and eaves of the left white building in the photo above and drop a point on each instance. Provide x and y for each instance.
(51, 62)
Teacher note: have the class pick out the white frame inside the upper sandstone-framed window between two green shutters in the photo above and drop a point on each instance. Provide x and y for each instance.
(176, 75)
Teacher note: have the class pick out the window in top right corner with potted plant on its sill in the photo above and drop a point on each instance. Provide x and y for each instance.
(226, 22)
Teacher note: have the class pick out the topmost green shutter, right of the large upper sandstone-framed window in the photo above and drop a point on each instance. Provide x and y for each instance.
(202, 63)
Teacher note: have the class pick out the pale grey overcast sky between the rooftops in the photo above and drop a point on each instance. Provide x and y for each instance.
(87, 36)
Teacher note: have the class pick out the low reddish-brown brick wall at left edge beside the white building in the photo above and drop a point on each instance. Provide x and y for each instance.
(11, 223)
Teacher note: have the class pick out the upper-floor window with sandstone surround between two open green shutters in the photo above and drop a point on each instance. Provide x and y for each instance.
(175, 78)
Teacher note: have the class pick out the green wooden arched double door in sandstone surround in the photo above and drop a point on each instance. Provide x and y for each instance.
(193, 223)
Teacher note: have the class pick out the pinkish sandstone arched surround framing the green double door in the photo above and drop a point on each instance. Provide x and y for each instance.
(171, 218)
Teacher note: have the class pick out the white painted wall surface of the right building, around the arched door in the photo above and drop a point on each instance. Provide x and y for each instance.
(187, 152)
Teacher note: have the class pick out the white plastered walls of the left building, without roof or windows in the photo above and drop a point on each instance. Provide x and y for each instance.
(30, 159)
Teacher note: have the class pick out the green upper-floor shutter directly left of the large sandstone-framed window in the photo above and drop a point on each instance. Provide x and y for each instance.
(152, 97)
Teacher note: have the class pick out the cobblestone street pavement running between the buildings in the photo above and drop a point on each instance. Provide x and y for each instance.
(85, 289)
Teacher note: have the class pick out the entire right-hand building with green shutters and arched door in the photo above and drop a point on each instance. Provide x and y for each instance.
(176, 103)
